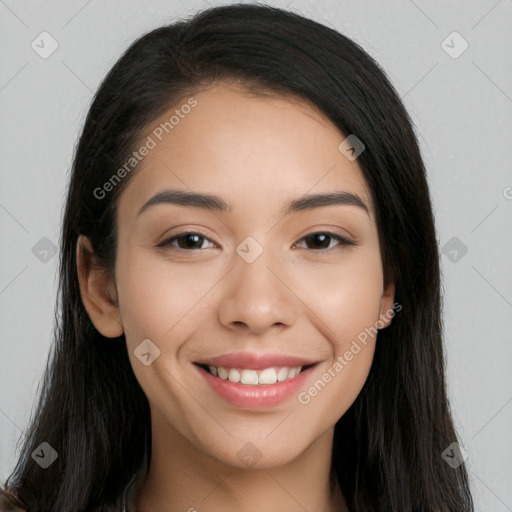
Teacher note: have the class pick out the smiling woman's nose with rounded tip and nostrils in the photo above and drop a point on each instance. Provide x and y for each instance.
(257, 297)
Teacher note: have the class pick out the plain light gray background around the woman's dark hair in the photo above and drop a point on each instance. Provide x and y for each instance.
(462, 110)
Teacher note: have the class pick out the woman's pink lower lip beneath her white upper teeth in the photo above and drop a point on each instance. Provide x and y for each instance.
(259, 396)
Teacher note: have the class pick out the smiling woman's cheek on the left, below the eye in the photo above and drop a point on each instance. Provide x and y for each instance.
(162, 302)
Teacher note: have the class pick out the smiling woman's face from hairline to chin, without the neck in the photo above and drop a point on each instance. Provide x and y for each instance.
(244, 278)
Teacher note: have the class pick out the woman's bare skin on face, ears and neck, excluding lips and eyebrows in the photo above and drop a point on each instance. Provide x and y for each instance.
(256, 152)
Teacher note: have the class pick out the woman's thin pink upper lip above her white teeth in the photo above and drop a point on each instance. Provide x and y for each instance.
(255, 361)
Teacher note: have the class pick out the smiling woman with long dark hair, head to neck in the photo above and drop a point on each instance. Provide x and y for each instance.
(249, 287)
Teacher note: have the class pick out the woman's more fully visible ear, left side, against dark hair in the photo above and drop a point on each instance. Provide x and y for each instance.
(98, 291)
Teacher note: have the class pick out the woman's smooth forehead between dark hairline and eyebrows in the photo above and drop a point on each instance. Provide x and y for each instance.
(256, 149)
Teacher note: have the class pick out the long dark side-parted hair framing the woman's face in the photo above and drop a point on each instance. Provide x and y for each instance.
(387, 452)
